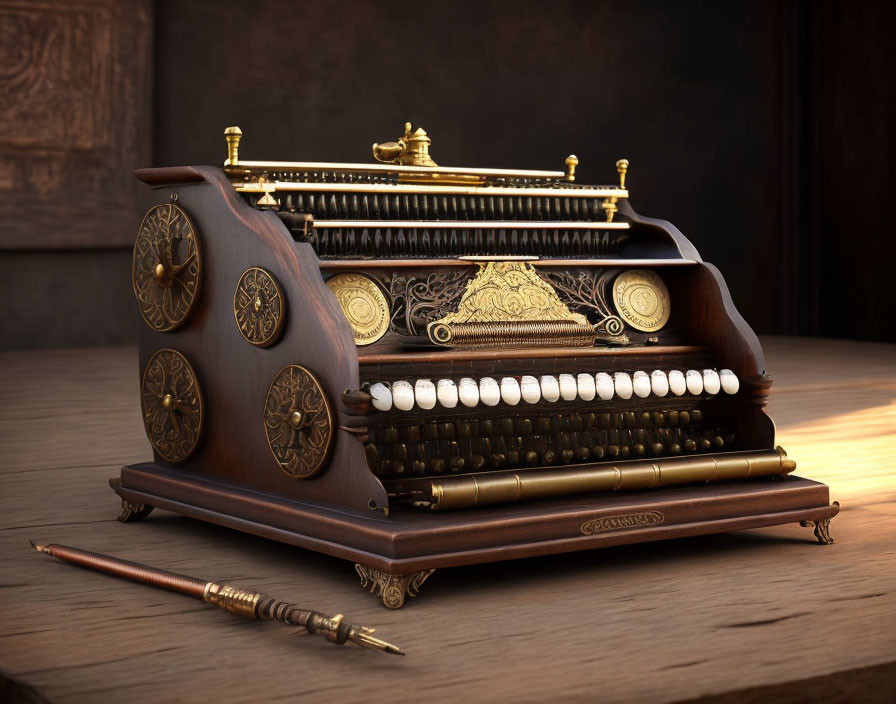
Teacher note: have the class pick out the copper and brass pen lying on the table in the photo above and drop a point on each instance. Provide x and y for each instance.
(239, 601)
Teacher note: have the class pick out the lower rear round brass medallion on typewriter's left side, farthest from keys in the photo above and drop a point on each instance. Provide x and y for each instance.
(172, 405)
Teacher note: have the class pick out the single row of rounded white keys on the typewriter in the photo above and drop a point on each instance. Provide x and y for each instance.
(488, 391)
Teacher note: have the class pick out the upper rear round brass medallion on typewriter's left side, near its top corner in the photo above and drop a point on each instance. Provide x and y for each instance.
(167, 269)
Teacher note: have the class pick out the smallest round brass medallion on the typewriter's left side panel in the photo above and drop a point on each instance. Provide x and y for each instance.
(259, 307)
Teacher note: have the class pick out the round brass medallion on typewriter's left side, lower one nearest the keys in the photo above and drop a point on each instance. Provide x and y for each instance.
(298, 422)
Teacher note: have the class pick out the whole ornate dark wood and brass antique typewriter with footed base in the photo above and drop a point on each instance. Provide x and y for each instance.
(413, 366)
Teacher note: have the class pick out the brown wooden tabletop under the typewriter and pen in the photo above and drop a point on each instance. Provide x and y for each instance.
(714, 617)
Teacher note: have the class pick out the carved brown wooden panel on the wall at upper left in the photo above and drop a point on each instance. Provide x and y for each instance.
(75, 105)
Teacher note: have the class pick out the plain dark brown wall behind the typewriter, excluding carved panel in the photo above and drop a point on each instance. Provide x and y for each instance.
(763, 130)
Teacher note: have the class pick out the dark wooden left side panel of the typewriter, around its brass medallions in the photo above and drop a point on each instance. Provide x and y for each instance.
(234, 375)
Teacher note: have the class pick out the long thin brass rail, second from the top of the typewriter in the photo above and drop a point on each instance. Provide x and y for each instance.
(583, 192)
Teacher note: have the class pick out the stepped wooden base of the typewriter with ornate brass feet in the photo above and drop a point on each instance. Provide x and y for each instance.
(396, 553)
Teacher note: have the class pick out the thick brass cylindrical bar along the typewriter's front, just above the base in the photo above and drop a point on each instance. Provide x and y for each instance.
(529, 485)
